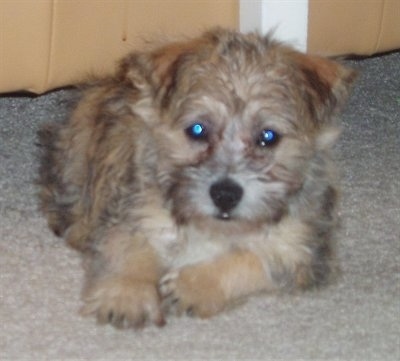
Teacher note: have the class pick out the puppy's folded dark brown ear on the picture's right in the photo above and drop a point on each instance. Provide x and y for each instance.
(325, 84)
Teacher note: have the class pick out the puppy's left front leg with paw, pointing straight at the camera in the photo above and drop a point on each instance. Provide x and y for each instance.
(122, 282)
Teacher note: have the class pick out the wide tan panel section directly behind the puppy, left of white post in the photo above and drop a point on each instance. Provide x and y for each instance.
(89, 36)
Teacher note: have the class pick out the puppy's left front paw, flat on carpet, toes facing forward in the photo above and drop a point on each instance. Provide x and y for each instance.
(123, 302)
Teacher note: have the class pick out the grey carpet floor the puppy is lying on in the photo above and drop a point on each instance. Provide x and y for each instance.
(356, 319)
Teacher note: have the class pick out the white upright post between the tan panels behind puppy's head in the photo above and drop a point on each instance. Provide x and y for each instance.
(288, 19)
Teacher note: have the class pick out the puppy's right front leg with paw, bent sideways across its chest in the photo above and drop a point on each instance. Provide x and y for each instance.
(205, 289)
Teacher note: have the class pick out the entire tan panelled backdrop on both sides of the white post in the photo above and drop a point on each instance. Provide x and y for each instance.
(45, 44)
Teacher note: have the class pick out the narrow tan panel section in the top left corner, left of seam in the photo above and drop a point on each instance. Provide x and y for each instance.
(25, 36)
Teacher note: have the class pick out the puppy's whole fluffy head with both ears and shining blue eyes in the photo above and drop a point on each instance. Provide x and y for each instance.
(240, 118)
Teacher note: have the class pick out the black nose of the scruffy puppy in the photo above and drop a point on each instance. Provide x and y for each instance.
(226, 194)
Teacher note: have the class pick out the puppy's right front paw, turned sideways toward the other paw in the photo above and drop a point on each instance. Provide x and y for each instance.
(193, 290)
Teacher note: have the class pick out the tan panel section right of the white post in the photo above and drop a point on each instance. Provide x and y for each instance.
(353, 26)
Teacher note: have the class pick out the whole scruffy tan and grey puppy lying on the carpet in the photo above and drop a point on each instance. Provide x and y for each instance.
(198, 175)
